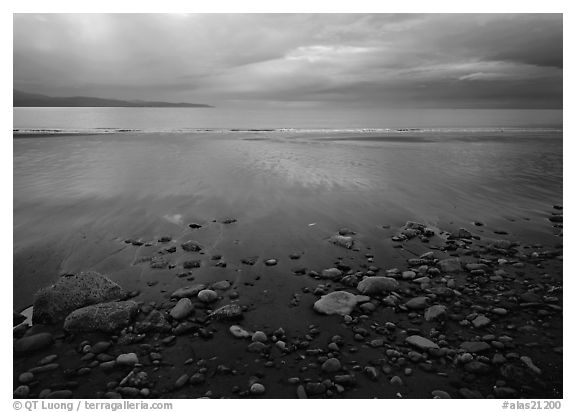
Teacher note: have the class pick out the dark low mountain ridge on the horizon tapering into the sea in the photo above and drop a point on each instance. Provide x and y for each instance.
(22, 99)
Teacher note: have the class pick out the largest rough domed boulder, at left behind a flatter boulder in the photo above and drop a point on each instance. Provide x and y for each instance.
(53, 303)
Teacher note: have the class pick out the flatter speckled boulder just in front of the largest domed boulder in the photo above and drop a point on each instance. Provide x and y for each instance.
(105, 317)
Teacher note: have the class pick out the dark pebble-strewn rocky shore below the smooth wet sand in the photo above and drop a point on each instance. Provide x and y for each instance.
(476, 336)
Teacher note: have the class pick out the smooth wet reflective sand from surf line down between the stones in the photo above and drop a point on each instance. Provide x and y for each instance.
(101, 203)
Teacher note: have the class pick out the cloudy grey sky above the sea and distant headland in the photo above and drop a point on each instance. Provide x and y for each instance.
(331, 60)
